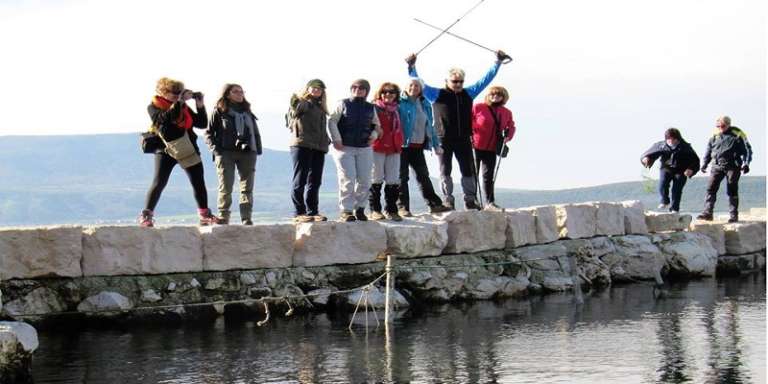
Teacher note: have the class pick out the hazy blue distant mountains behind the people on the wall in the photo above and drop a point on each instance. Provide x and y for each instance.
(93, 179)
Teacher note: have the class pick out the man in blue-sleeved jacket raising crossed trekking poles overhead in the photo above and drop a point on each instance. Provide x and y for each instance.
(452, 107)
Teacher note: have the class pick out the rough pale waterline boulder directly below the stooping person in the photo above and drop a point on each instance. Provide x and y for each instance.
(690, 253)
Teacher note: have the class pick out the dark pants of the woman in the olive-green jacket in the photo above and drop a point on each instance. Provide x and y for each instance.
(307, 172)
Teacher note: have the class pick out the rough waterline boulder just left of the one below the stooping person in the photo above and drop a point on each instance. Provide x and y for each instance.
(635, 257)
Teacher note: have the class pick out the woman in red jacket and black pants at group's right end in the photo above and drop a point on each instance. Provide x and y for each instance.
(492, 127)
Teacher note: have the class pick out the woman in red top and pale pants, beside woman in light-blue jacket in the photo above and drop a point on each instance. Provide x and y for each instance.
(386, 154)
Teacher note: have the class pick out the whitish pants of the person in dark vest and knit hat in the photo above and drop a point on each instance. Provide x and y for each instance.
(353, 166)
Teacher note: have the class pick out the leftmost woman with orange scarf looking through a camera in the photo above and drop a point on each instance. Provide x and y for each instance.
(172, 118)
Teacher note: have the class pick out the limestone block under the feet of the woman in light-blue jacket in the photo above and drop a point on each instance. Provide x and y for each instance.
(415, 238)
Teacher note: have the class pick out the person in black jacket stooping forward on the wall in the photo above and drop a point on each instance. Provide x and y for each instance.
(679, 162)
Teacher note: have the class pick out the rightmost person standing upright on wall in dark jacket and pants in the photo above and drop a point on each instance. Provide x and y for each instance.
(728, 150)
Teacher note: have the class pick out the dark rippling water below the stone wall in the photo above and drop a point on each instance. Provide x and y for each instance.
(711, 331)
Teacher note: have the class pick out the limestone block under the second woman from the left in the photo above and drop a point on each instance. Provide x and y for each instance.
(247, 247)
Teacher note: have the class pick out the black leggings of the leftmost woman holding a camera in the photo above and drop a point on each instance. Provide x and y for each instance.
(163, 166)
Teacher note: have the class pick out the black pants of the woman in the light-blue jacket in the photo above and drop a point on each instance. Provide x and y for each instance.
(413, 158)
